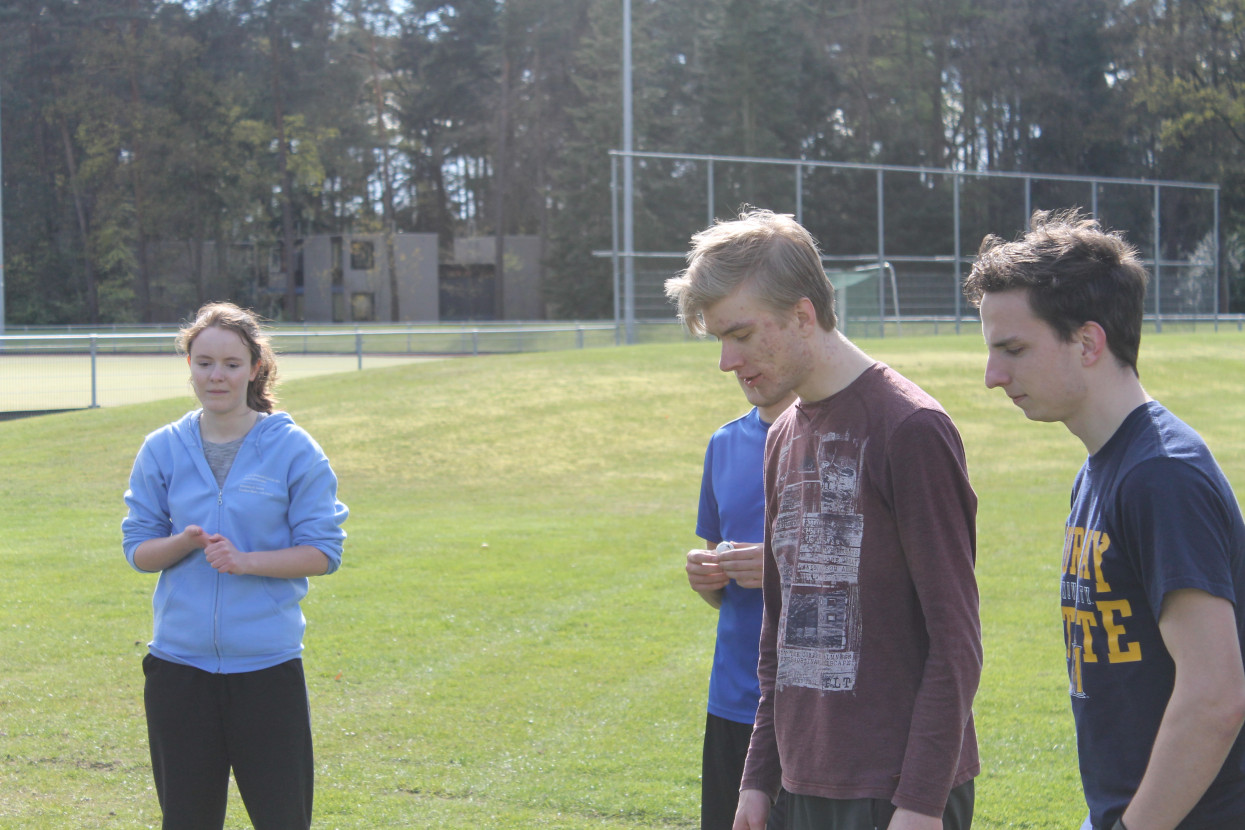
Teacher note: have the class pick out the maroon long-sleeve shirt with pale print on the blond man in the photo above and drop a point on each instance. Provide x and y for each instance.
(871, 645)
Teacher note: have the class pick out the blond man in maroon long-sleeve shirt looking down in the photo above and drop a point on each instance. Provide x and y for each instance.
(871, 645)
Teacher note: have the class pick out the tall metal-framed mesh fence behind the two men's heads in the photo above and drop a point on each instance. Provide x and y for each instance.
(924, 223)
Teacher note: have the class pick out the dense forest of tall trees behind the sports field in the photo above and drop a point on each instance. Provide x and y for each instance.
(135, 124)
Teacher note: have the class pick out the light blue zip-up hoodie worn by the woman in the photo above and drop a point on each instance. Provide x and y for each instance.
(280, 493)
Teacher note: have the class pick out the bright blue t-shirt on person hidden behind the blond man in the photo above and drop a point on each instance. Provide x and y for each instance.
(733, 508)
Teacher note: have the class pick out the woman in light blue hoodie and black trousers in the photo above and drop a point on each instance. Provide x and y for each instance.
(235, 507)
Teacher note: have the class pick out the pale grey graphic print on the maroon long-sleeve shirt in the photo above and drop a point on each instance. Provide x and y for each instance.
(816, 542)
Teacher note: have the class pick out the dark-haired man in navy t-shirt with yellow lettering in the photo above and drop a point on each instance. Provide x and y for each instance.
(1153, 573)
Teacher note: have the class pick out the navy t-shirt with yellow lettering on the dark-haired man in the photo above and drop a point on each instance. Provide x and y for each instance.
(1152, 513)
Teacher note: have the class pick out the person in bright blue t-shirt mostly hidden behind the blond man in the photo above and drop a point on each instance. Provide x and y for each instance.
(733, 511)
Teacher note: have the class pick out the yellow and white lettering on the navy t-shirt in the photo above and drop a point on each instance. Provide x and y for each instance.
(1095, 628)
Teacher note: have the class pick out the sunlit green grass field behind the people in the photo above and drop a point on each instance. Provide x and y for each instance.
(511, 641)
